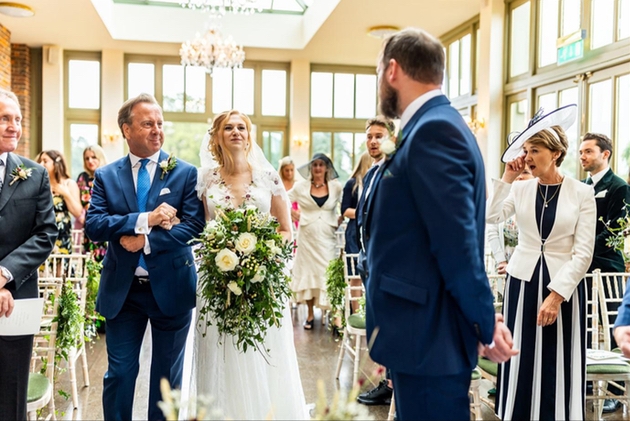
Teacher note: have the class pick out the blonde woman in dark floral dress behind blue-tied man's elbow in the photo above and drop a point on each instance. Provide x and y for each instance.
(93, 158)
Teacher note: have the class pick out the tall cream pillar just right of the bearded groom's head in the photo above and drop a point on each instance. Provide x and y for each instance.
(490, 106)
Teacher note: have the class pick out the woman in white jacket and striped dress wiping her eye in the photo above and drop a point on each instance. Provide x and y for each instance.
(544, 300)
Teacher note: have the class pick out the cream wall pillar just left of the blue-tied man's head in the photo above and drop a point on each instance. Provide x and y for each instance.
(112, 97)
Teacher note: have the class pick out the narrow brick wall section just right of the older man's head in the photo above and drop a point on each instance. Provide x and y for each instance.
(21, 86)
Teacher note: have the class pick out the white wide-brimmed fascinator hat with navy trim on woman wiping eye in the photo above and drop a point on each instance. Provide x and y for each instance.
(563, 117)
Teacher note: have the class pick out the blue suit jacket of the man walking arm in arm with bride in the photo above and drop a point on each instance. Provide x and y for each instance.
(113, 212)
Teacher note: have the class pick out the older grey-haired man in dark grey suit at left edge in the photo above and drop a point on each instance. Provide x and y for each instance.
(27, 235)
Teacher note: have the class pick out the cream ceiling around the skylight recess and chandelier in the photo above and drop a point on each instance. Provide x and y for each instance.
(331, 31)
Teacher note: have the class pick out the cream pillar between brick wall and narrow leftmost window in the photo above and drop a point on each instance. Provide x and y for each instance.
(52, 98)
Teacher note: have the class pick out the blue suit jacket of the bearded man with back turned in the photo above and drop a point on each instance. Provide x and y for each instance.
(428, 297)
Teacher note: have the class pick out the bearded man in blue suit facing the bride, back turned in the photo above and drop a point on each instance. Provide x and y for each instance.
(429, 304)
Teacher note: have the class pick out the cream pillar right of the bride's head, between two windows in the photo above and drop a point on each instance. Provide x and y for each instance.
(299, 111)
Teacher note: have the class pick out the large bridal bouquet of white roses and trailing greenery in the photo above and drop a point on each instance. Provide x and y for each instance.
(242, 279)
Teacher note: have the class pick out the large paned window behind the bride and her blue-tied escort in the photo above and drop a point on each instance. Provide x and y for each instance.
(190, 98)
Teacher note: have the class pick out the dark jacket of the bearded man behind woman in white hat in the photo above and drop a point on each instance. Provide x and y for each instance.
(611, 194)
